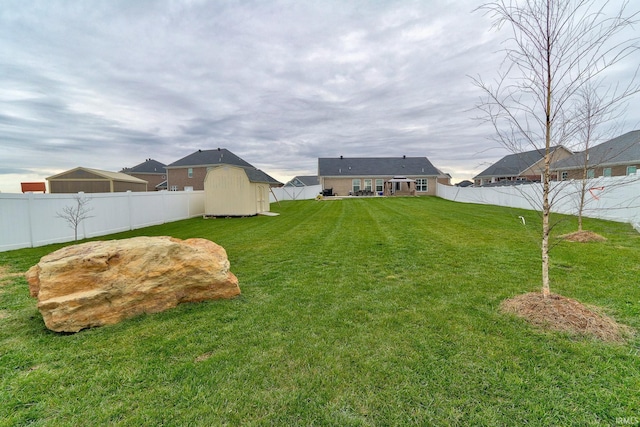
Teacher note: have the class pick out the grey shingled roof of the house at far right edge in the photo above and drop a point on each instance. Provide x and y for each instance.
(624, 149)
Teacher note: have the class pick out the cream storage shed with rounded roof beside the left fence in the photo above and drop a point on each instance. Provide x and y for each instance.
(236, 191)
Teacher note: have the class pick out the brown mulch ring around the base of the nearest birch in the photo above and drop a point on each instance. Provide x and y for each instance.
(567, 315)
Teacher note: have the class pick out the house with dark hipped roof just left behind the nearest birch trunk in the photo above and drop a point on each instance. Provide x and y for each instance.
(519, 167)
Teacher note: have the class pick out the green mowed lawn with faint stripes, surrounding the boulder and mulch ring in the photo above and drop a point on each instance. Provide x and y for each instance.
(366, 312)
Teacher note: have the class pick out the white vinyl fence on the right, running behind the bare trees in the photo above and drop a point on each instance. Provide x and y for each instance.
(612, 198)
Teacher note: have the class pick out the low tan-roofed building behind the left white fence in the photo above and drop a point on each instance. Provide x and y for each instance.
(89, 180)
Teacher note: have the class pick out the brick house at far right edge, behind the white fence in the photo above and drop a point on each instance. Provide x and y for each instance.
(617, 157)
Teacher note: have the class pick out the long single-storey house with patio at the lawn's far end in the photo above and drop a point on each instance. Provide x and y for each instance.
(379, 176)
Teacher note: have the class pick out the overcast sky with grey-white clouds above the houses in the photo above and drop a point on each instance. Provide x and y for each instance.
(107, 84)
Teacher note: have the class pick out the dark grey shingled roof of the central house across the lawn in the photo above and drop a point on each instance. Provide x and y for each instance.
(377, 166)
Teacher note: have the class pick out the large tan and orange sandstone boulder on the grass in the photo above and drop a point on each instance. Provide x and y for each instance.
(101, 283)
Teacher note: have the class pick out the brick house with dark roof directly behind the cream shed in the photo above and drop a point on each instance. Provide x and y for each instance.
(189, 172)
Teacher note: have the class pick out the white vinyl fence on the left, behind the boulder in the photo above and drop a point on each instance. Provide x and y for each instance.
(29, 220)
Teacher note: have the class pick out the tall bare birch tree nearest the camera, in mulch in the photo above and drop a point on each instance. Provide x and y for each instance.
(555, 49)
